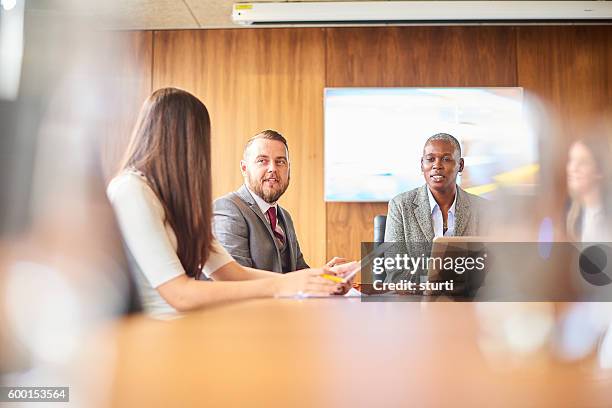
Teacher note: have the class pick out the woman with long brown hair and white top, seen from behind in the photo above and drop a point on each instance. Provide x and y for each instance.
(162, 197)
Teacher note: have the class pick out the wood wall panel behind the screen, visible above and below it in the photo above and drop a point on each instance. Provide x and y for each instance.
(408, 57)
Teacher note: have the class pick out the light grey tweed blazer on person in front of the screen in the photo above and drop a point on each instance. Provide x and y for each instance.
(409, 221)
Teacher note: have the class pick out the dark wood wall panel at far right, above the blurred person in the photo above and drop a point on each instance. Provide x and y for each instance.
(569, 71)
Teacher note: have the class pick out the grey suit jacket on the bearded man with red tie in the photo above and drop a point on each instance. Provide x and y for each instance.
(244, 231)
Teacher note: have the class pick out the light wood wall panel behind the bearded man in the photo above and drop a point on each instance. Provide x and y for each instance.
(250, 80)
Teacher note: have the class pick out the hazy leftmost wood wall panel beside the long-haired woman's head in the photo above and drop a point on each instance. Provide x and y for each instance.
(131, 78)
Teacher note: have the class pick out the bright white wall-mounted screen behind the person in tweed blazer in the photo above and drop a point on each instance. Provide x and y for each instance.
(374, 139)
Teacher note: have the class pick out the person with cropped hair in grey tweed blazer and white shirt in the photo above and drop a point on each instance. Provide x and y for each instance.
(438, 208)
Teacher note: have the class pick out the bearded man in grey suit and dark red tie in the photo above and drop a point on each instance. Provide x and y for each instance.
(249, 223)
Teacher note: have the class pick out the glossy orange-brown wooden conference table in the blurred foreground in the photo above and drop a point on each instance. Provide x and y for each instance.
(341, 352)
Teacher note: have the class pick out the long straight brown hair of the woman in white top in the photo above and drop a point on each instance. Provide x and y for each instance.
(171, 146)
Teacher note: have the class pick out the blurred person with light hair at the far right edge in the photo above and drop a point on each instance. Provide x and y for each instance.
(589, 217)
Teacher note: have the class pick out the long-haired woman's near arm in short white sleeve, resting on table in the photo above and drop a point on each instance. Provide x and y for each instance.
(140, 217)
